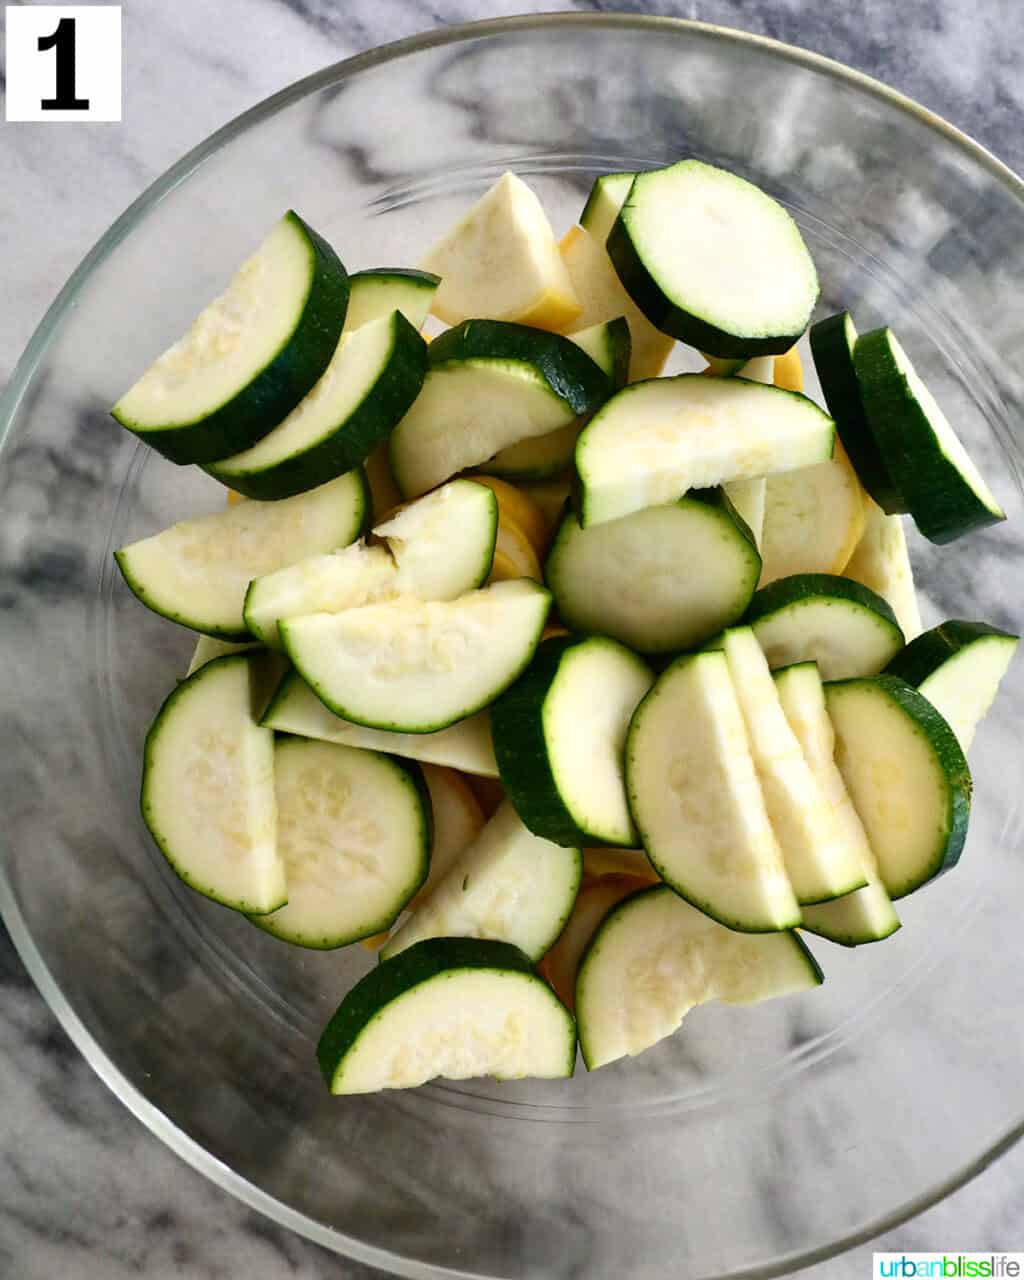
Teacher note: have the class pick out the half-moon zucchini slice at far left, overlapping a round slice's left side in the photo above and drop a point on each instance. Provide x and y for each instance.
(208, 788)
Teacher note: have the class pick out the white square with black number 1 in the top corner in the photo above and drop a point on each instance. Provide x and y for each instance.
(63, 63)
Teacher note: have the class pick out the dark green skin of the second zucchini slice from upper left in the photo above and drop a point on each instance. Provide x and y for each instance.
(349, 447)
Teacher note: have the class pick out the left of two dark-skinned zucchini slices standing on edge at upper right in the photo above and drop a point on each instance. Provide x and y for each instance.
(833, 344)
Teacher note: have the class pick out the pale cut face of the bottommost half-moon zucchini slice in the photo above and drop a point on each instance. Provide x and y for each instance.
(460, 1025)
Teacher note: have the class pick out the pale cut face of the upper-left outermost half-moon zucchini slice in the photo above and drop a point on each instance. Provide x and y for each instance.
(231, 341)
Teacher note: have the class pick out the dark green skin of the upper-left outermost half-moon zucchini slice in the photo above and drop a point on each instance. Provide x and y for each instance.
(276, 391)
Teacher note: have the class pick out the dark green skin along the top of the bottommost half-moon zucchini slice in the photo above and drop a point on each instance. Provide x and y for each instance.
(395, 977)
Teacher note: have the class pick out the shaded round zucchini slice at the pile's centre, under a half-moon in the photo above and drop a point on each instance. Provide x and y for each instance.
(660, 580)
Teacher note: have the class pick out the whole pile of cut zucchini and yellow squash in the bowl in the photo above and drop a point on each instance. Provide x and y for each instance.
(580, 692)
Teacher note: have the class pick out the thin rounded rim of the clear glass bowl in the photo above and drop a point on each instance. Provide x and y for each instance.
(11, 399)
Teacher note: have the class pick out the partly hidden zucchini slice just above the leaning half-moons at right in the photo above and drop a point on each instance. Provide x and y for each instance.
(820, 618)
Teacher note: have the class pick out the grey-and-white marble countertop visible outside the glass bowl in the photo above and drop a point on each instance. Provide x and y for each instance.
(85, 1191)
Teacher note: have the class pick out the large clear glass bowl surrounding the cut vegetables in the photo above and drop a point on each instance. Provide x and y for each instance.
(757, 1139)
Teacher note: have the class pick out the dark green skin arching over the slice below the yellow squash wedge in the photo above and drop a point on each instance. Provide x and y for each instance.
(570, 373)
